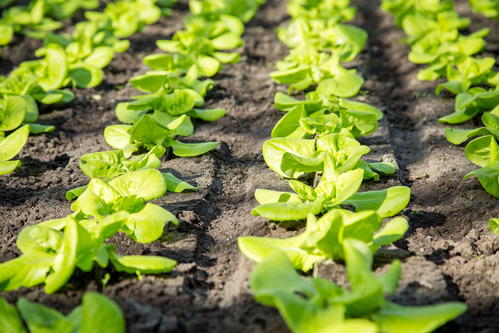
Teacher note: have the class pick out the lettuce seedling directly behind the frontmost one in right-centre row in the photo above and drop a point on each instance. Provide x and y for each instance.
(323, 238)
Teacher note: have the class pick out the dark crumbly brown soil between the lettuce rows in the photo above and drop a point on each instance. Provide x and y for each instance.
(448, 254)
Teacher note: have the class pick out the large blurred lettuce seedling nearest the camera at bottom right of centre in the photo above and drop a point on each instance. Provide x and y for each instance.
(318, 305)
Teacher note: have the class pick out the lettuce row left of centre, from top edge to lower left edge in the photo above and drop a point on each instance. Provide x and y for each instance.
(122, 181)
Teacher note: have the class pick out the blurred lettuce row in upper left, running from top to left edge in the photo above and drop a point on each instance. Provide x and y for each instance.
(74, 60)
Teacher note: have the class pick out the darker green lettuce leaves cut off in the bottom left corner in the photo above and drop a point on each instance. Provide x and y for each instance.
(95, 314)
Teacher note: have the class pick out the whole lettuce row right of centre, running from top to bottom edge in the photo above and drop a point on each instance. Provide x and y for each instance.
(315, 146)
